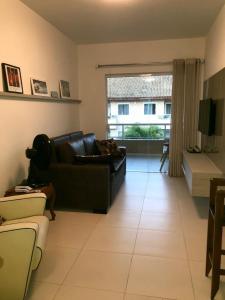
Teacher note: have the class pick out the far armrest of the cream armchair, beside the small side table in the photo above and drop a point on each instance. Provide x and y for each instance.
(22, 206)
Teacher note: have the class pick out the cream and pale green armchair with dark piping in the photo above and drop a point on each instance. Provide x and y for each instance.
(22, 240)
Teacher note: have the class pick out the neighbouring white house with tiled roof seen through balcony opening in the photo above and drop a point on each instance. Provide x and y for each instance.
(139, 106)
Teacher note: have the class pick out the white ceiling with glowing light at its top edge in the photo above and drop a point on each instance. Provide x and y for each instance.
(101, 21)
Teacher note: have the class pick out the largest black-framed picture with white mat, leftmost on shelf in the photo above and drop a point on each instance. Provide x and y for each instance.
(12, 80)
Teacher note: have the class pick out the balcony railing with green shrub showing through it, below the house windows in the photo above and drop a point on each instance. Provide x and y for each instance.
(150, 131)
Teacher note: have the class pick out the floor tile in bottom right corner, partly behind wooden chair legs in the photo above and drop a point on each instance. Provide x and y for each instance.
(202, 284)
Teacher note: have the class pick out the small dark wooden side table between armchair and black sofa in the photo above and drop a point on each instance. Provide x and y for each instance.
(48, 190)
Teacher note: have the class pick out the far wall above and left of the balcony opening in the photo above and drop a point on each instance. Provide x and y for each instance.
(92, 81)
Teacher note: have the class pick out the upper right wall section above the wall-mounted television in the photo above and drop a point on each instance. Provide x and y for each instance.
(215, 46)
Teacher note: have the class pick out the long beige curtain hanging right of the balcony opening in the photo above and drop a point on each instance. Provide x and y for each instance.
(185, 99)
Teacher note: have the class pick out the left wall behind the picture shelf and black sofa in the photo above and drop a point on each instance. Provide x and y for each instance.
(43, 52)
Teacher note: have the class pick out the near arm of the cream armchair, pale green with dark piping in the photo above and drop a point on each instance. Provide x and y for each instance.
(16, 255)
